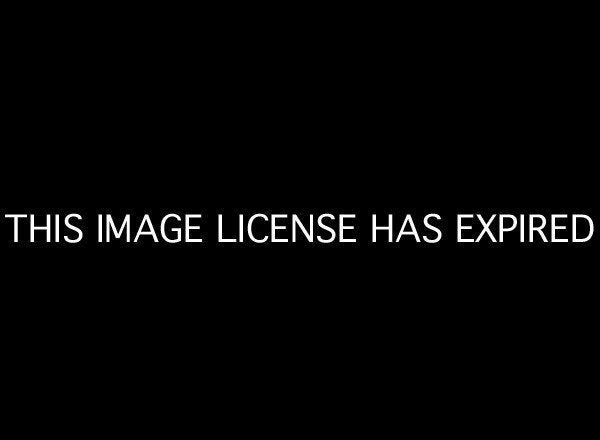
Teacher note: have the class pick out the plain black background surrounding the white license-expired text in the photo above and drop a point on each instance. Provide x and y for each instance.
(368, 113)
